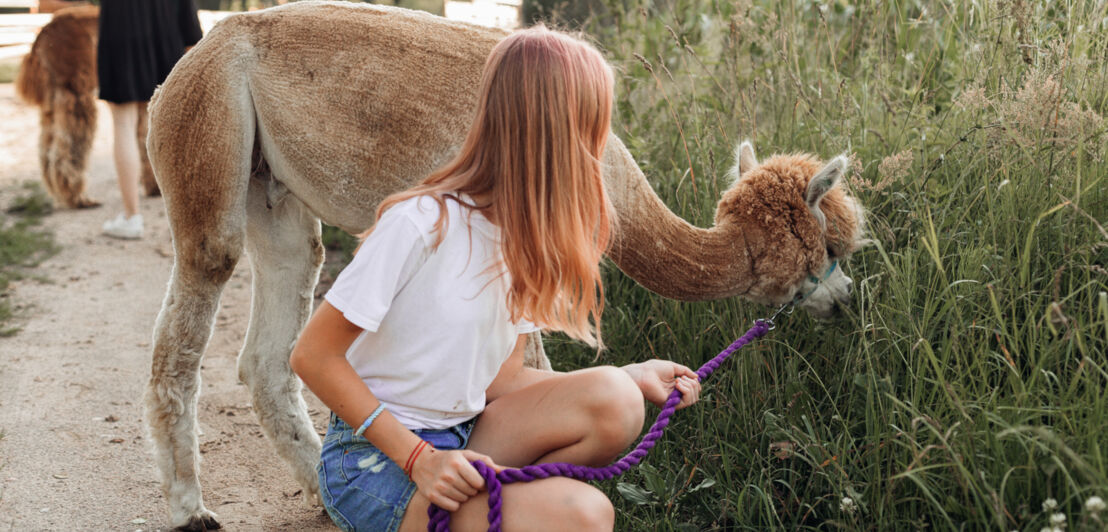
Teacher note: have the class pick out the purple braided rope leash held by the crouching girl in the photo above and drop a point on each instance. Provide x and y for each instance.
(440, 519)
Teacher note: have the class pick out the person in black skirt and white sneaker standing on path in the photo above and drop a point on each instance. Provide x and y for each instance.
(140, 43)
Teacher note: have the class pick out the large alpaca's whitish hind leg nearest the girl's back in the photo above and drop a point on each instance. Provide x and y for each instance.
(286, 252)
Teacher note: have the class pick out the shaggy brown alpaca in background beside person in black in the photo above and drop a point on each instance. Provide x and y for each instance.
(59, 76)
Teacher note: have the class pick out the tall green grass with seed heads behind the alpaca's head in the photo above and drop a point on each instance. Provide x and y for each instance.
(968, 383)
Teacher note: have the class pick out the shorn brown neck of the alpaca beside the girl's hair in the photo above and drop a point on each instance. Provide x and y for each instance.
(661, 251)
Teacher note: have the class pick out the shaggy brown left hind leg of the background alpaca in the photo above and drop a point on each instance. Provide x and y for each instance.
(75, 127)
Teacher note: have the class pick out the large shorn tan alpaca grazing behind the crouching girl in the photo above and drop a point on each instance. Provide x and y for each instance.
(315, 111)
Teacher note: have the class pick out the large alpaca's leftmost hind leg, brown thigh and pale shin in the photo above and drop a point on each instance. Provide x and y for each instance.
(201, 151)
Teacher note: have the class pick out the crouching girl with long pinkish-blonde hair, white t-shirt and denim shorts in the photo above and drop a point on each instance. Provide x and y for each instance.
(426, 329)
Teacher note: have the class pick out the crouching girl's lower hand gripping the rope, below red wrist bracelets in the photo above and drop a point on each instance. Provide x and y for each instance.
(447, 478)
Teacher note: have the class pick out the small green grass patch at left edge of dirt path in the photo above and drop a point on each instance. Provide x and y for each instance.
(24, 244)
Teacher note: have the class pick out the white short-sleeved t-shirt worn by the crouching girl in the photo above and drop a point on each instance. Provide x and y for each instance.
(437, 322)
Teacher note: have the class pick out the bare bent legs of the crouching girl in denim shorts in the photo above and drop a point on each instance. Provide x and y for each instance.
(587, 417)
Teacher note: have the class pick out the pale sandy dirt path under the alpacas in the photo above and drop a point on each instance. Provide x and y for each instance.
(74, 454)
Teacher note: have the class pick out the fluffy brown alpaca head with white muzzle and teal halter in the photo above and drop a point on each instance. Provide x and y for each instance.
(797, 222)
